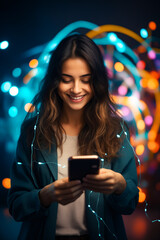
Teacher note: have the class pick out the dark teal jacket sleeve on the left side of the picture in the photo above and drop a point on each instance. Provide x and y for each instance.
(23, 199)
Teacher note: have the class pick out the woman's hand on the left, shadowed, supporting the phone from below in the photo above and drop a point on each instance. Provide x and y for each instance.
(61, 191)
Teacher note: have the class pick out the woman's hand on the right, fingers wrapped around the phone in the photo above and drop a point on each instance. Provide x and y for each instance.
(107, 182)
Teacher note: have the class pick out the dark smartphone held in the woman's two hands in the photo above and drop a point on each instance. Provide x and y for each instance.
(80, 166)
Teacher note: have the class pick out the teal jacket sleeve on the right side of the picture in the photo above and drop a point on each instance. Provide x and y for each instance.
(124, 163)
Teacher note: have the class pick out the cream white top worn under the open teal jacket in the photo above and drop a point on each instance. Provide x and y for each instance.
(71, 217)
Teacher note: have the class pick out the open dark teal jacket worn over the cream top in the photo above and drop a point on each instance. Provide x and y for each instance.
(39, 223)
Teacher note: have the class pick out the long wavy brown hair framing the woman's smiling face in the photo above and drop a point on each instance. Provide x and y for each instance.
(101, 121)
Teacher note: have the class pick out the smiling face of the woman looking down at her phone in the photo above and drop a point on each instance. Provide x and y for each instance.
(75, 86)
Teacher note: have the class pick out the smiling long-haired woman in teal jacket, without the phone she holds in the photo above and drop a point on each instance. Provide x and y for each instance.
(76, 117)
